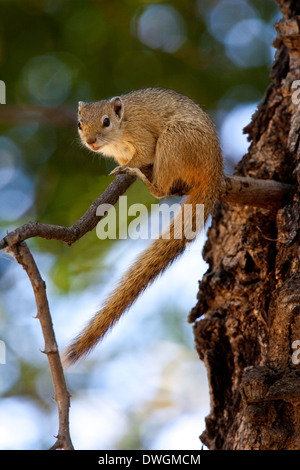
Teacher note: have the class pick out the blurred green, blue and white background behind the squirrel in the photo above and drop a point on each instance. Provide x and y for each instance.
(144, 387)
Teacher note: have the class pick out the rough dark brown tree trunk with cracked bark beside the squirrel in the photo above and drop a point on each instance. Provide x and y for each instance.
(250, 295)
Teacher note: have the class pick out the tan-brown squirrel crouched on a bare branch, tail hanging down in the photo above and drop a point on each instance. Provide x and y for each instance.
(169, 133)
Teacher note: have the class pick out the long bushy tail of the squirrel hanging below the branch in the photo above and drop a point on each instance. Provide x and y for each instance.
(148, 266)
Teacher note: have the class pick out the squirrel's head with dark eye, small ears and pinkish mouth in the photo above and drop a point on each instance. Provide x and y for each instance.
(99, 123)
